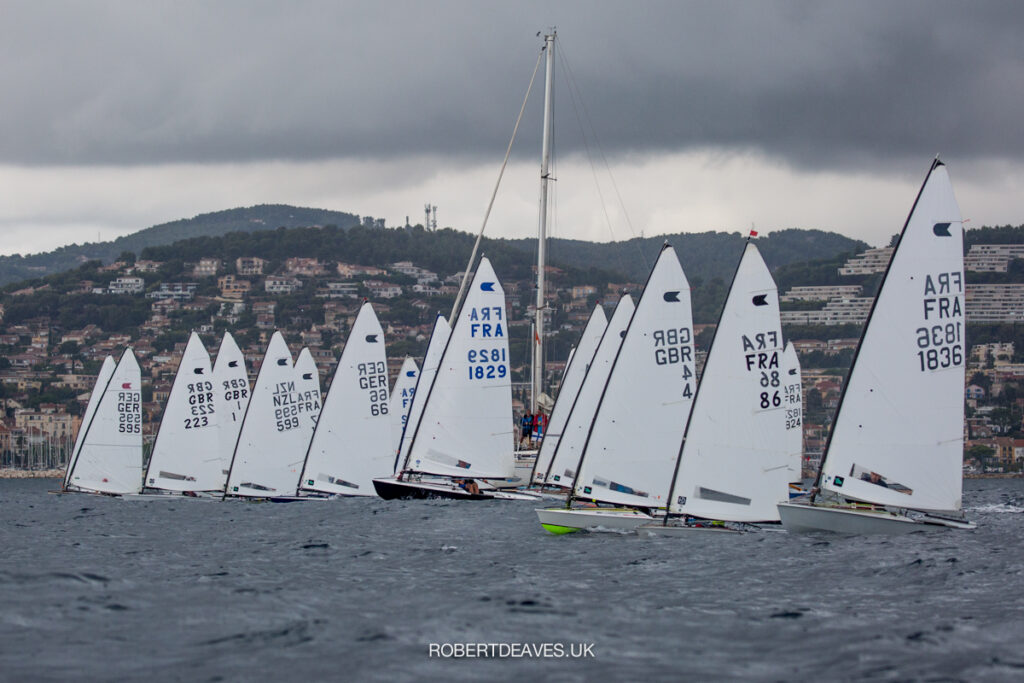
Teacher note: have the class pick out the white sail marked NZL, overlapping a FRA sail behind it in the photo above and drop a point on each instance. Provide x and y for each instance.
(264, 462)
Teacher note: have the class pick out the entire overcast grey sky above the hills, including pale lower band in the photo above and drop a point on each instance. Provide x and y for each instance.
(670, 116)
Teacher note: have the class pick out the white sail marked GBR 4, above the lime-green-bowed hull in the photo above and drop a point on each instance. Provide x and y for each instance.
(633, 444)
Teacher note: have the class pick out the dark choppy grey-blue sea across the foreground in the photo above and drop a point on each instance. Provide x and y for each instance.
(95, 588)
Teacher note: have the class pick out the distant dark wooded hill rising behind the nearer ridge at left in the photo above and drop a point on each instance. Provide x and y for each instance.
(263, 218)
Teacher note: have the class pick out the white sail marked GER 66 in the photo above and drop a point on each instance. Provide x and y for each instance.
(353, 441)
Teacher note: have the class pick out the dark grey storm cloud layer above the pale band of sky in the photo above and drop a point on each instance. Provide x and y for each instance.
(817, 84)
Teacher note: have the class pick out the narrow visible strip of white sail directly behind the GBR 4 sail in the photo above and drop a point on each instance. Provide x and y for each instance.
(567, 456)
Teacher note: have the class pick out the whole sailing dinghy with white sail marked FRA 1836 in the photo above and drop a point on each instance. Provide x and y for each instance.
(893, 462)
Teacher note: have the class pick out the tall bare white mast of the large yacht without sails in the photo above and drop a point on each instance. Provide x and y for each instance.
(537, 370)
